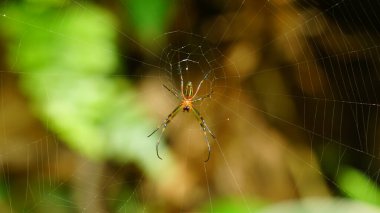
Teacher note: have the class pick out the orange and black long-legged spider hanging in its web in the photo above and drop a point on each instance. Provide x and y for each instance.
(187, 99)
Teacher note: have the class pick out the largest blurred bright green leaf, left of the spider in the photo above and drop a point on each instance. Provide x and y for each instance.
(67, 59)
